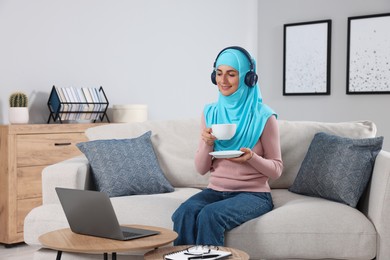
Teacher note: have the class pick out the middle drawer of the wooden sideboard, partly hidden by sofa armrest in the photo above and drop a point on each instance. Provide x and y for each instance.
(29, 182)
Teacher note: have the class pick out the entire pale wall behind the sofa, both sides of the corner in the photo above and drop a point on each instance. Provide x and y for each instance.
(161, 53)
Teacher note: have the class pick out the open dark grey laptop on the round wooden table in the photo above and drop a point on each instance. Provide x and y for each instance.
(91, 213)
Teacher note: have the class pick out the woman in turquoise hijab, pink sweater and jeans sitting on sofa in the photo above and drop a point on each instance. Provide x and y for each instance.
(238, 188)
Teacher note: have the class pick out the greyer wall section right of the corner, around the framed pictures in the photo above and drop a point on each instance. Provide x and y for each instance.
(338, 106)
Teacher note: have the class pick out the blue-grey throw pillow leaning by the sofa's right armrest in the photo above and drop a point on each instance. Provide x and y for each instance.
(337, 168)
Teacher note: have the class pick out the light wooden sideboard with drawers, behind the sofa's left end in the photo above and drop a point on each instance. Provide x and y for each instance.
(24, 151)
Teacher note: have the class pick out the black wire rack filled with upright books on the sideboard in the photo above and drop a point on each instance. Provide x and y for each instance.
(77, 104)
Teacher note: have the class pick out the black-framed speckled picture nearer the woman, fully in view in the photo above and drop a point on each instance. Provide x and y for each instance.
(306, 64)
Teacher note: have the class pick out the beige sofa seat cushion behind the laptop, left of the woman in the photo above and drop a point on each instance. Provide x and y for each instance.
(153, 210)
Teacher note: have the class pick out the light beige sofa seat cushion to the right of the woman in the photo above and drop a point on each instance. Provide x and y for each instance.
(306, 227)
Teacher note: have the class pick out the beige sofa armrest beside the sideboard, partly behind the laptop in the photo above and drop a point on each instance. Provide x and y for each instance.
(72, 173)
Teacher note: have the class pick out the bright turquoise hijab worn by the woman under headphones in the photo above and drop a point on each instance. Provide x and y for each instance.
(244, 107)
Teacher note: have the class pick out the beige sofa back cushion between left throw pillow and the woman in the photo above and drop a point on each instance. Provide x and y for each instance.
(174, 141)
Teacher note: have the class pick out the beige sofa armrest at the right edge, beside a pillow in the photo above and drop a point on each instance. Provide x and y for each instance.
(376, 204)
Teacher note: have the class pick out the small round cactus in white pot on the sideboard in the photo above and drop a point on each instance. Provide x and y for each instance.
(18, 110)
